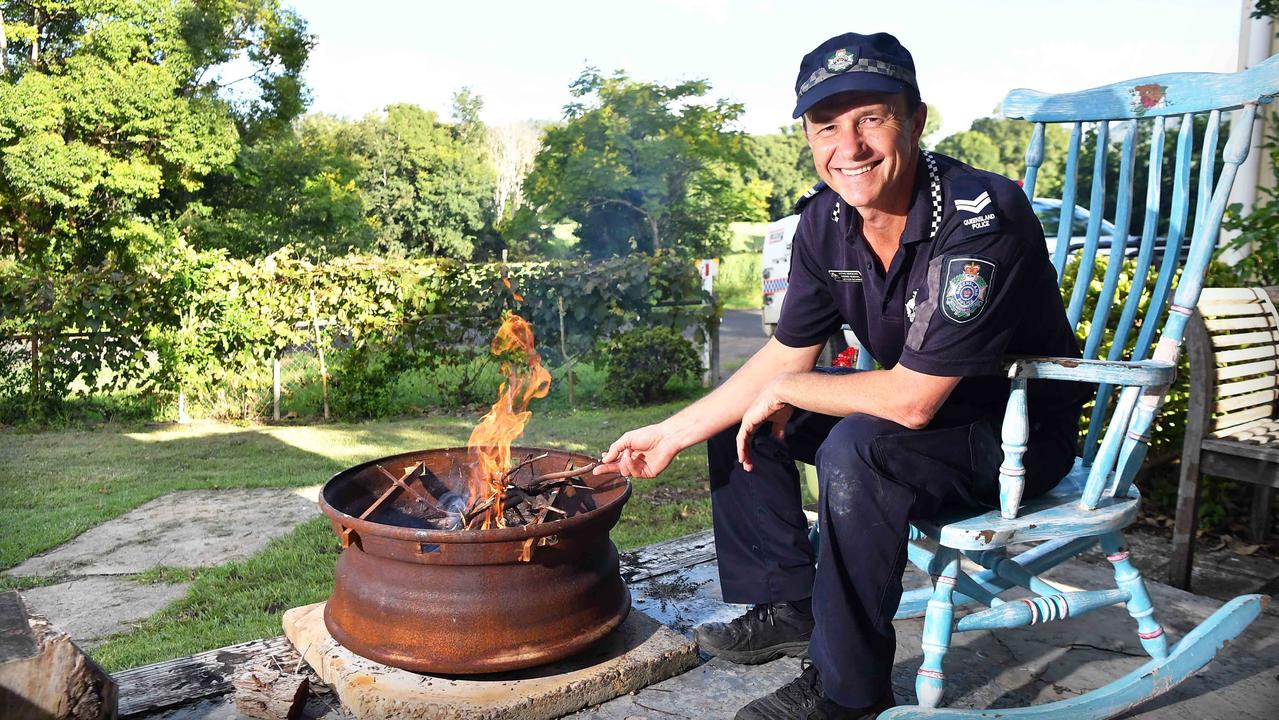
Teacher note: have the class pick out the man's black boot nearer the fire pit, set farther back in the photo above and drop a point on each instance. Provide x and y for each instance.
(764, 634)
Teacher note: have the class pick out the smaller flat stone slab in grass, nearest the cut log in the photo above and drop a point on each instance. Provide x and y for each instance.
(93, 609)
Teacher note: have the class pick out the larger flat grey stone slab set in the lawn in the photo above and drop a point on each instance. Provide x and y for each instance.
(191, 529)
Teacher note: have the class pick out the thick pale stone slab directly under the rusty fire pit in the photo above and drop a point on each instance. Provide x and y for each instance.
(639, 654)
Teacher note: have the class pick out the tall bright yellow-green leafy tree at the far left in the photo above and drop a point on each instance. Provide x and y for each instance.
(112, 114)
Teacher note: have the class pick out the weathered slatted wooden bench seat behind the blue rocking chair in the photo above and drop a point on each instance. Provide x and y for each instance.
(1232, 429)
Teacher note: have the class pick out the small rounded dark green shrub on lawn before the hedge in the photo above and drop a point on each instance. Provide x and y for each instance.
(644, 360)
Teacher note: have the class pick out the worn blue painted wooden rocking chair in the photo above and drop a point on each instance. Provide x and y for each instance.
(1098, 499)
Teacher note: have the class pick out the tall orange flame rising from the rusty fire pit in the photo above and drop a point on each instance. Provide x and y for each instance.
(490, 441)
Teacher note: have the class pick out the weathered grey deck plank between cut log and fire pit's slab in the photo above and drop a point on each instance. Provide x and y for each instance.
(177, 682)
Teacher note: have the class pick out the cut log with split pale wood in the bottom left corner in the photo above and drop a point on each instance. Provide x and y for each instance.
(44, 675)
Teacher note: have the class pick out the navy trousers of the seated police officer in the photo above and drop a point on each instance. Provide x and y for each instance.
(875, 478)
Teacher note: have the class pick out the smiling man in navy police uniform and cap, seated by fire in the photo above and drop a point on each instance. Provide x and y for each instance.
(941, 270)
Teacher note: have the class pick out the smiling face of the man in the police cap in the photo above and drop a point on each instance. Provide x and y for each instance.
(865, 148)
